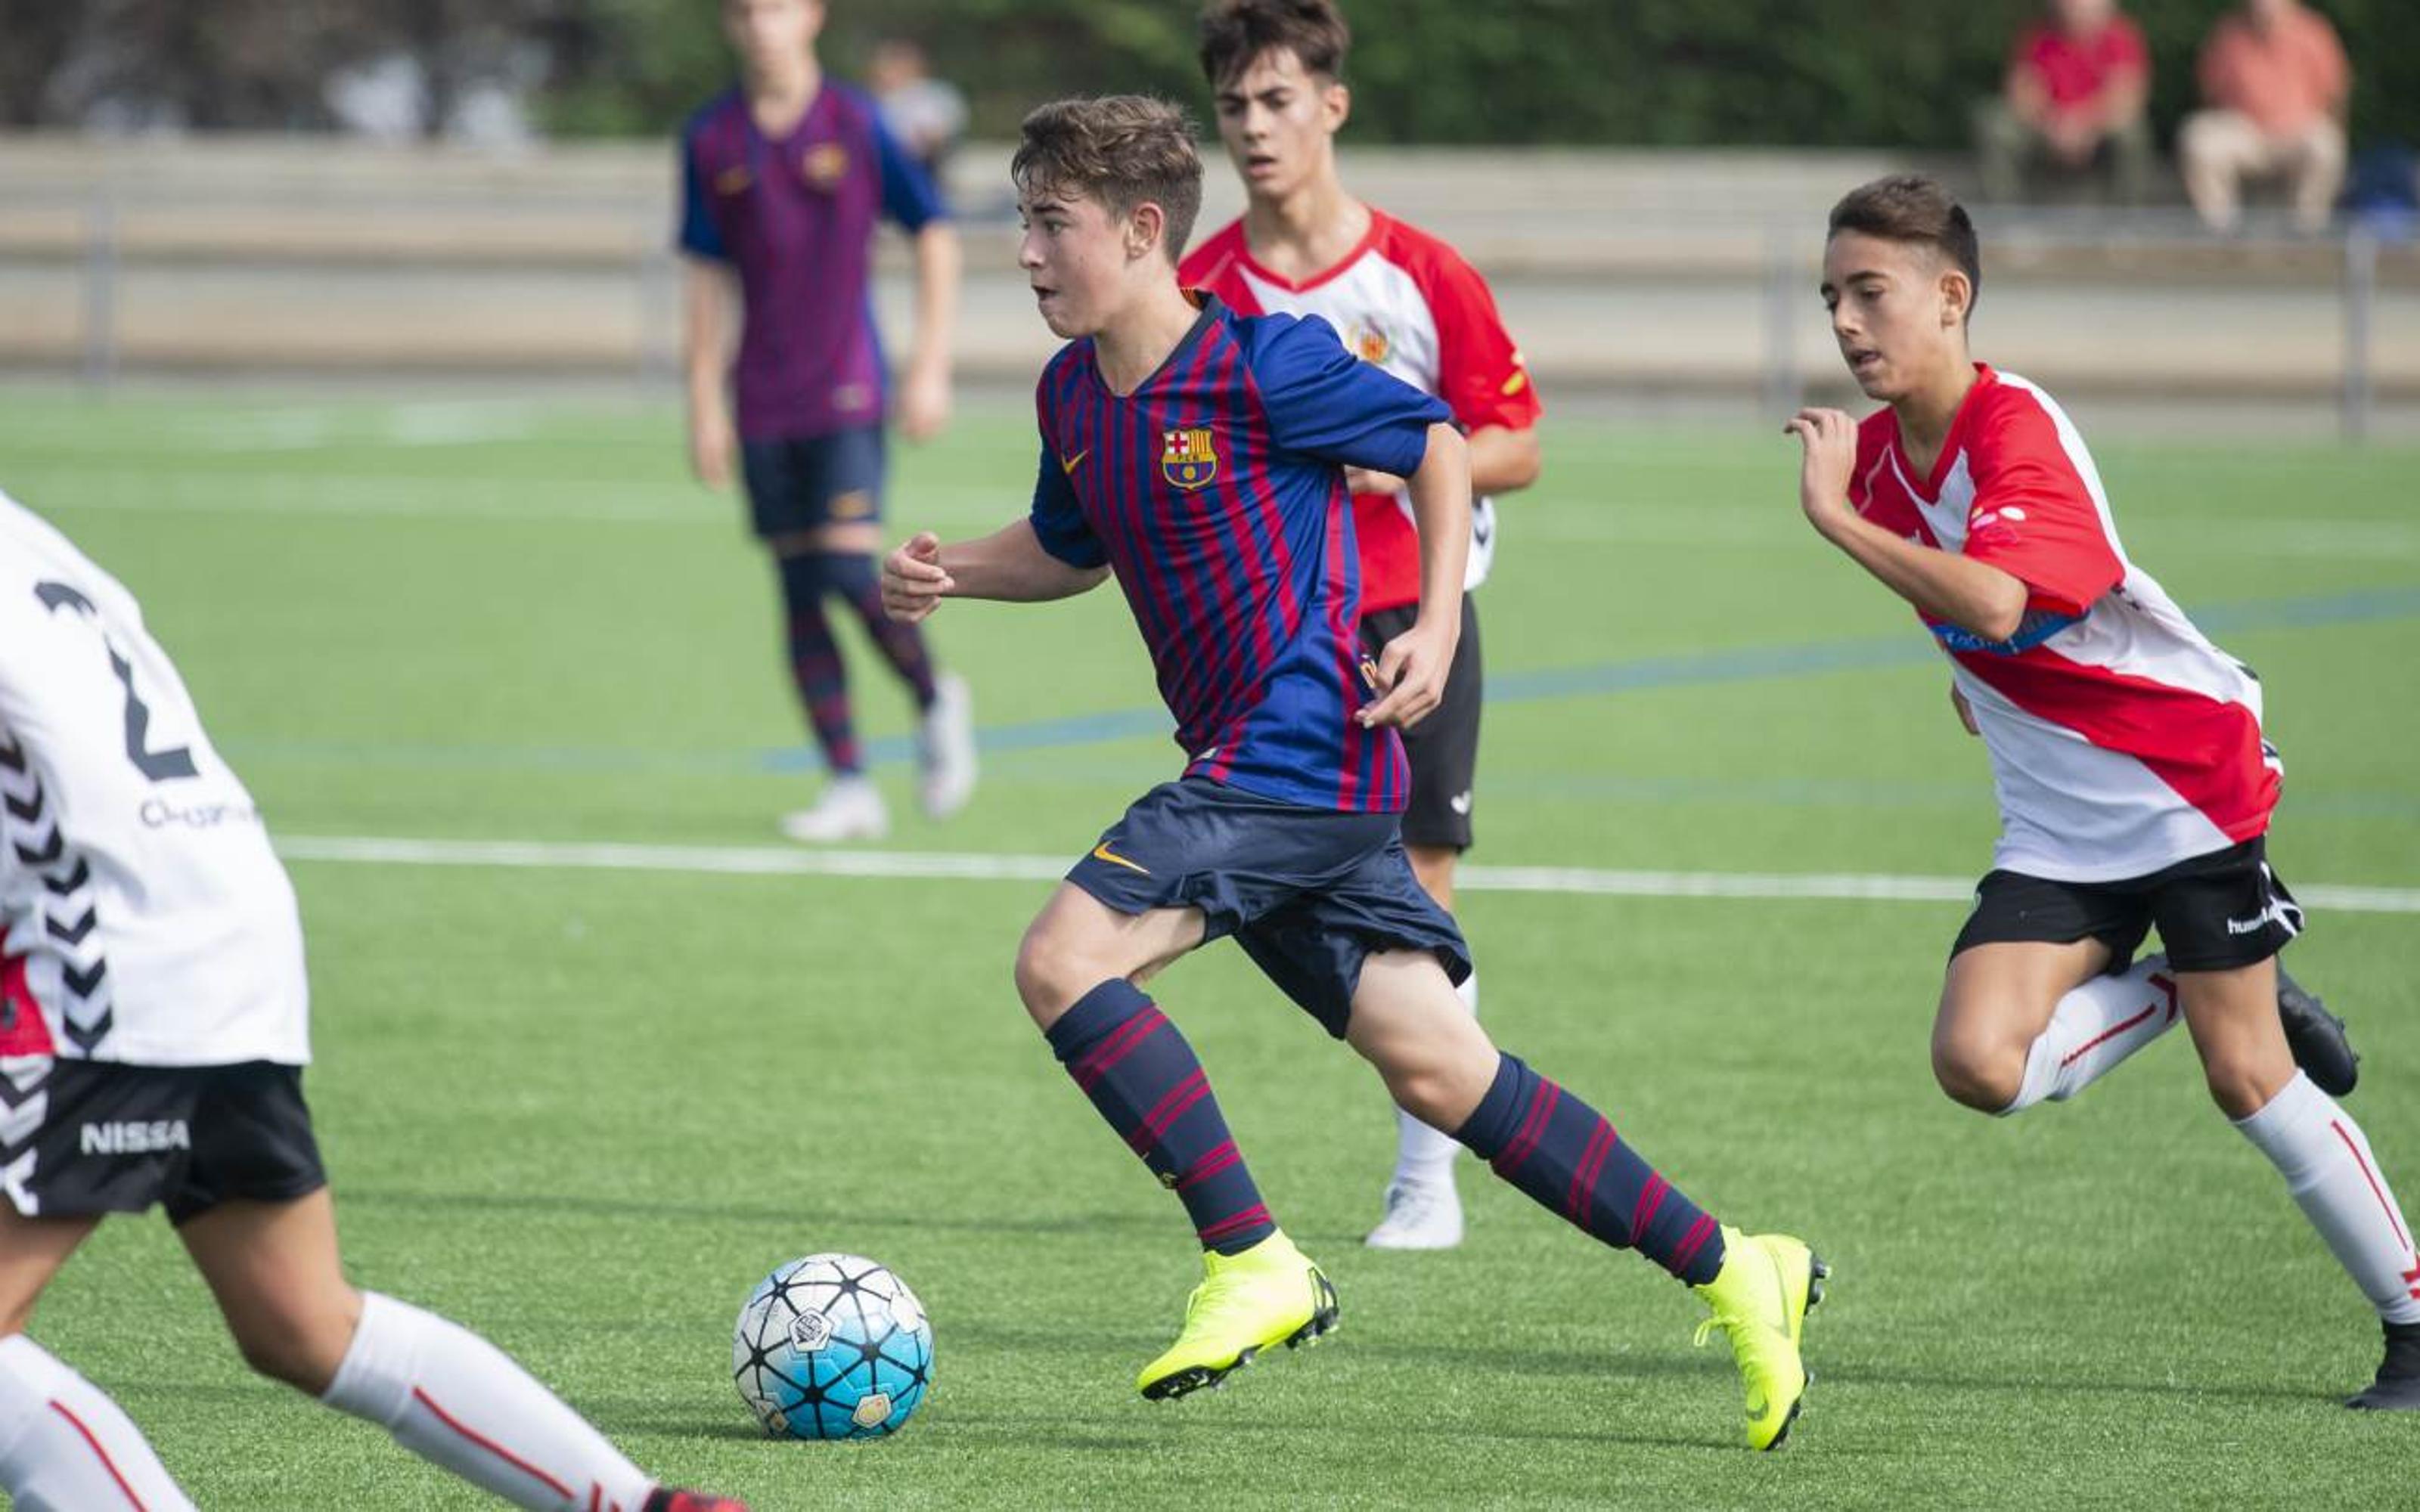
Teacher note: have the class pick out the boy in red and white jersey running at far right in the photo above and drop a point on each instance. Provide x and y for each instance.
(2133, 780)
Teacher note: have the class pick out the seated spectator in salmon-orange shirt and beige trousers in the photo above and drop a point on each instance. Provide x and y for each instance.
(2276, 83)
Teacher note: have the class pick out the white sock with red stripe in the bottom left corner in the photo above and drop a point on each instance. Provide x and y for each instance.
(67, 1448)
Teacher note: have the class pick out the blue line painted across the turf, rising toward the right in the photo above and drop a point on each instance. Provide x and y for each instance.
(1688, 669)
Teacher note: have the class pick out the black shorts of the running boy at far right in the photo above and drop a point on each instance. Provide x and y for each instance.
(2213, 913)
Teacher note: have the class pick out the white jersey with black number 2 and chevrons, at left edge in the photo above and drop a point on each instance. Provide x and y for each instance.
(144, 916)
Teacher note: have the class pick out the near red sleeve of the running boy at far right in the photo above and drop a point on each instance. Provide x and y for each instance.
(2034, 514)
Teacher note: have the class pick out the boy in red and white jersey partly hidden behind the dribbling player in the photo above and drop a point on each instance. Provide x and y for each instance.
(1407, 304)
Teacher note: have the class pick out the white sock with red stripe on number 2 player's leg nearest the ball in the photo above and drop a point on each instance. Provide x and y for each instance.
(463, 1404)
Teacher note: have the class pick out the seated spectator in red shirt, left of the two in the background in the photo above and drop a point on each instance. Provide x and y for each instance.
(2073, 103)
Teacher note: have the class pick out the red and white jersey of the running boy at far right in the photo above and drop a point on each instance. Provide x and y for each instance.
(2121, 739)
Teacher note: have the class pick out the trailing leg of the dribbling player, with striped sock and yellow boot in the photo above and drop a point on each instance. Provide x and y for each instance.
(1567, 1158)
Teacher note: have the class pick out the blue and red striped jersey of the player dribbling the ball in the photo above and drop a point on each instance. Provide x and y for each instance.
(1216, 492)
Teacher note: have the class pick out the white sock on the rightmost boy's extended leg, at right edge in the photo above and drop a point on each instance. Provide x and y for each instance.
(2339, 1187)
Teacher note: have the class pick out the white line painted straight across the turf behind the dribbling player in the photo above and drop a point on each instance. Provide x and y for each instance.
(1039, 870)
